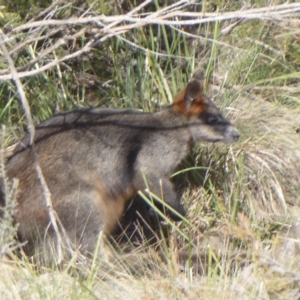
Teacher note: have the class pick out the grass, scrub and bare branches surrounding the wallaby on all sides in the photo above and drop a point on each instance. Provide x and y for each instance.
(242, 237)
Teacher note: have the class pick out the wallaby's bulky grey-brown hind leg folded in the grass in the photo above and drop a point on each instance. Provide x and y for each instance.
(83, 214)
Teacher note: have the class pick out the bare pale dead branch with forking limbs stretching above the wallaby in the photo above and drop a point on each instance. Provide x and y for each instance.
(100, 28)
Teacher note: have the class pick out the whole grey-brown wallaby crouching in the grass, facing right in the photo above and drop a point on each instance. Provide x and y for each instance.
(95, 160)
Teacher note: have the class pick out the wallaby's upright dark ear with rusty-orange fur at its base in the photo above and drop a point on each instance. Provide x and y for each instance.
(191, 100)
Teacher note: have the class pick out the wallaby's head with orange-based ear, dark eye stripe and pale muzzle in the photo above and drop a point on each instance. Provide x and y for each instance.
(206, 122)
